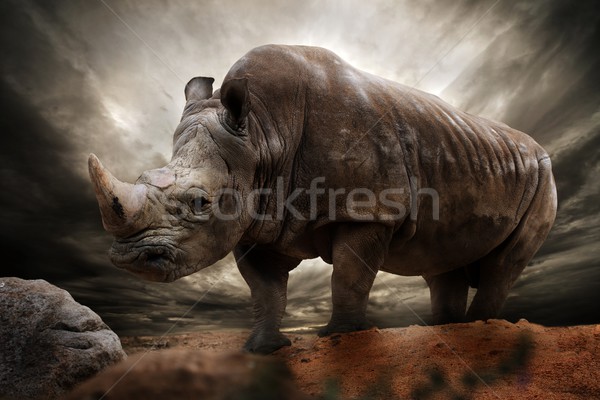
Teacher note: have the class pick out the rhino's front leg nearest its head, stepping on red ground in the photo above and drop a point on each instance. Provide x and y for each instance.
(266, 273)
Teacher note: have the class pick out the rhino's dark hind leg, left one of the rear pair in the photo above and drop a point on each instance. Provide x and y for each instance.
(448, 296)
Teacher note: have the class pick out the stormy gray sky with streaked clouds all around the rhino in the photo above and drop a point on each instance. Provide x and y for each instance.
(107, 76)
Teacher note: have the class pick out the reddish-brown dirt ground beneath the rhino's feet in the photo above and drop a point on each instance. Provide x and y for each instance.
(480, 360)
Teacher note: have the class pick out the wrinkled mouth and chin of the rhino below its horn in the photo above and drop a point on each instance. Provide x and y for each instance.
(151, 261)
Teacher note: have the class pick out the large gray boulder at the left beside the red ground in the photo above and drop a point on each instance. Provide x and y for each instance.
(48, 341)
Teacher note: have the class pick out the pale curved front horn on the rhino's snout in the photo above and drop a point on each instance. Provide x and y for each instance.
(121, 204)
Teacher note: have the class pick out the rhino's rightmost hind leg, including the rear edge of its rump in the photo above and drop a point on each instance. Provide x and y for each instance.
(500, 269)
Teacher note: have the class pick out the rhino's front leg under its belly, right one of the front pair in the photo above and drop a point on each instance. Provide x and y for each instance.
(357, 254)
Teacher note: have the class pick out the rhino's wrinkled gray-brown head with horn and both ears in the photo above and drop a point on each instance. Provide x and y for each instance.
(187, 215)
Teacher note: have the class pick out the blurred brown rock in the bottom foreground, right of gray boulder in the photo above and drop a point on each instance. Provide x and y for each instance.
(188, 374)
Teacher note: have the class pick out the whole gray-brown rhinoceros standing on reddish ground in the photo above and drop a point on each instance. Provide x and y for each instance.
(300, 155)
